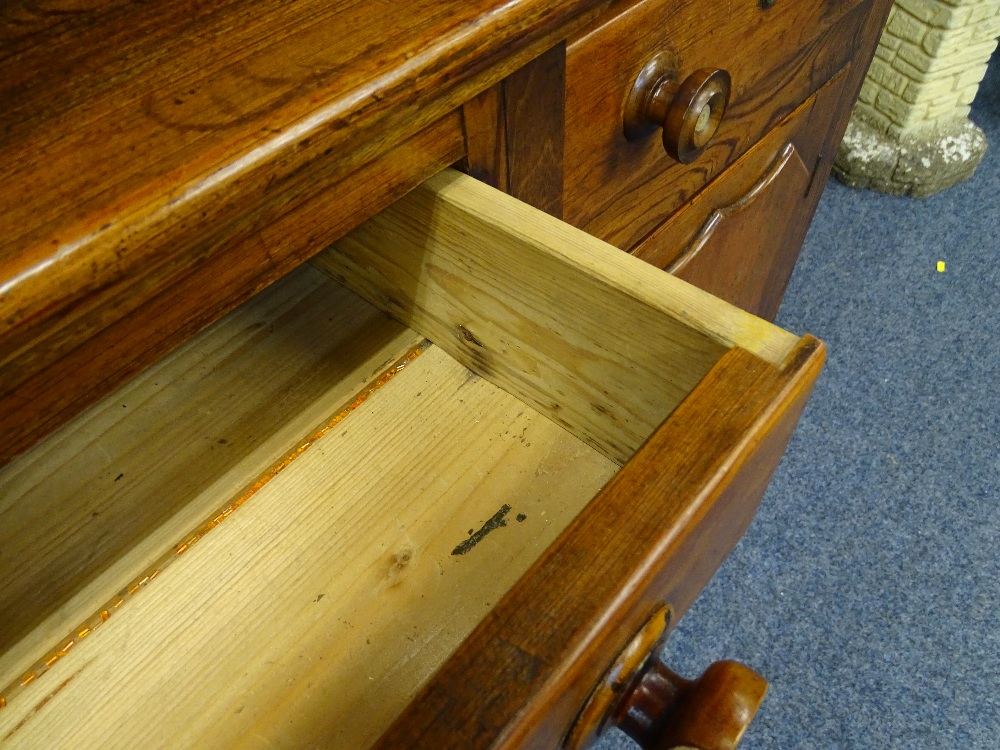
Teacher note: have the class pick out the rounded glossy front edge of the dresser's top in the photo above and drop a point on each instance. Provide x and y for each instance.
(42, 306)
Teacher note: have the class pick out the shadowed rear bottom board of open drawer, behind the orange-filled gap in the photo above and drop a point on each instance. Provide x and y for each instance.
(98, 502)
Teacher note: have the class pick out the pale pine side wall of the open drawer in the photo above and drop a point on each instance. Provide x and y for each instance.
(601, 343)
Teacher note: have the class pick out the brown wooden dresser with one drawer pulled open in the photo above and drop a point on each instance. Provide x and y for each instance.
(450, 482)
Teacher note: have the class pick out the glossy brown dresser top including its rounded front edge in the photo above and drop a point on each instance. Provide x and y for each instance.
(124, 126)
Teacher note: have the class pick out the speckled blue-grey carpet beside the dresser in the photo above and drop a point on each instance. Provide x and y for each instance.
(867, 587)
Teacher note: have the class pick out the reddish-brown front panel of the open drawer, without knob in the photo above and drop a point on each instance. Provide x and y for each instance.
(650, 536)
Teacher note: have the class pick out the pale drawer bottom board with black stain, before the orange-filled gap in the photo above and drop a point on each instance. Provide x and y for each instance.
(312, 614)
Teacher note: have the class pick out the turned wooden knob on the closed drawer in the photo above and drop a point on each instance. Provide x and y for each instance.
(689, 111)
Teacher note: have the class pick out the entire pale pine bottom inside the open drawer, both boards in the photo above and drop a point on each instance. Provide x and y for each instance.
(281, 529)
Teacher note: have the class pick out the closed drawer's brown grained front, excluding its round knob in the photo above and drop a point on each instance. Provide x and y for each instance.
(776, 58)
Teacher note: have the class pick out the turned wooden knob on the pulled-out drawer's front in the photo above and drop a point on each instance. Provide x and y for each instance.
(661, 710)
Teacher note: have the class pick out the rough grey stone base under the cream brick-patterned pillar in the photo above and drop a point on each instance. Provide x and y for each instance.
(918, 164)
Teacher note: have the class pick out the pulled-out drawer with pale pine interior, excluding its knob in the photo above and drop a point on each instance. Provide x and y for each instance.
(319, 525)
